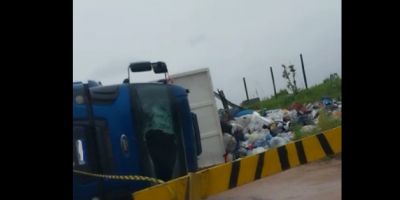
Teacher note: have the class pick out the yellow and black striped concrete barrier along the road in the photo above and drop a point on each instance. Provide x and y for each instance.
(207, 182)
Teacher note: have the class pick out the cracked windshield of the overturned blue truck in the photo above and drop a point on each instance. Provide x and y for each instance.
(158, 128)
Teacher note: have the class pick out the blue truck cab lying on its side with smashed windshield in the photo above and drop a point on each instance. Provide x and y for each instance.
(142, 129)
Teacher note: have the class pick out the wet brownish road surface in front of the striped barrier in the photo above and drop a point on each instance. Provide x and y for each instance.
(317, 180)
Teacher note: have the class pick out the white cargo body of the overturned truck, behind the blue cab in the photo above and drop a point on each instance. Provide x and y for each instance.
(203, 103)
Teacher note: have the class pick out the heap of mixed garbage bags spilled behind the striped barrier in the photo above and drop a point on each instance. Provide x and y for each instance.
(249, 132)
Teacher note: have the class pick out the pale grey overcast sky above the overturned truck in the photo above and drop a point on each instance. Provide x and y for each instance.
(233, 38)
